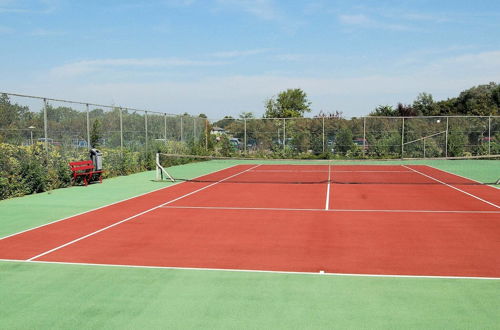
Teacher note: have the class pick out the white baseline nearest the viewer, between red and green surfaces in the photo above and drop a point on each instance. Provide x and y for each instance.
(232, 270)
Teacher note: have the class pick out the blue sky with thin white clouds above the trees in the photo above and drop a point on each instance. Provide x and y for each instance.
(222, 57)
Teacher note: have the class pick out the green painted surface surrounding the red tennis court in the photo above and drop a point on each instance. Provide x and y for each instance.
(44, 296)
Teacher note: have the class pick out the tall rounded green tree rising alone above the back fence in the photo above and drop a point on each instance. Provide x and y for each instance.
(290, 103)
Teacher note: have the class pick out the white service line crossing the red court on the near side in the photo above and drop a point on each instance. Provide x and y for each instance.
(326, 210)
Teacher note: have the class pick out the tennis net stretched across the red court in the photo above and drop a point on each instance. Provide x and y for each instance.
(484, 170)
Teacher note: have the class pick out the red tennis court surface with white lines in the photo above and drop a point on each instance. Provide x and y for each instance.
(361, 219)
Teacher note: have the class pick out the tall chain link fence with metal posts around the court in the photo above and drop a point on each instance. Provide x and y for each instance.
(77, 126)
